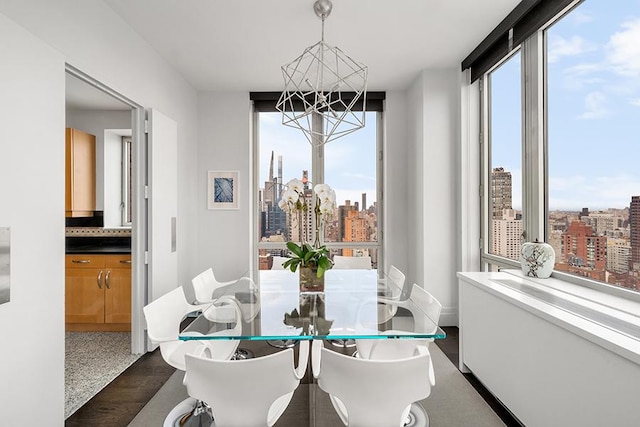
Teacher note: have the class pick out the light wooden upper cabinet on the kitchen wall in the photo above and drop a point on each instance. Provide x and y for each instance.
(80, 199)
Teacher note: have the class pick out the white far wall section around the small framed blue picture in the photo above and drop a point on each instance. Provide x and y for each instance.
(224, 236)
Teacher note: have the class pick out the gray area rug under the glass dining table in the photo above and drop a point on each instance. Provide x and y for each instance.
(453, 402)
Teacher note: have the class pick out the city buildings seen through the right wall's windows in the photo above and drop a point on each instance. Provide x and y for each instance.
(600, 245)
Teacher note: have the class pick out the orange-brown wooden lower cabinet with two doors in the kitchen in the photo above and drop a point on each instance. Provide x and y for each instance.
(98, 293)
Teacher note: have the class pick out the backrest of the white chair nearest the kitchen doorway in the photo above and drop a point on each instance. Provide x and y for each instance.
(164, 315)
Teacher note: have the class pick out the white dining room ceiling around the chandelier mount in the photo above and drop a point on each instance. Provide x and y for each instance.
(240, 45)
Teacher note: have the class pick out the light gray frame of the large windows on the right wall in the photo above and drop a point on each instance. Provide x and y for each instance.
(535, 162)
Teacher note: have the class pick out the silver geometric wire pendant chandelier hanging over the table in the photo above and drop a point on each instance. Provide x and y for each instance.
(322, 82)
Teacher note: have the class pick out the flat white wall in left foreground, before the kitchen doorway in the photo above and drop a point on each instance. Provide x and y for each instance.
(32, 204)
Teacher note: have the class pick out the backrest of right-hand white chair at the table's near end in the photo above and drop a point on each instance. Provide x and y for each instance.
(374, 393)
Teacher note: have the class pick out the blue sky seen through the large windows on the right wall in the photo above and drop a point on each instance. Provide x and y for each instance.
(594, 108)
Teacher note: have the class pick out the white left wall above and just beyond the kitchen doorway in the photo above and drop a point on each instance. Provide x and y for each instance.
(92, 38)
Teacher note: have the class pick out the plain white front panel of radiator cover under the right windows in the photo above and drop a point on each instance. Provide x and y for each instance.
(542, 371)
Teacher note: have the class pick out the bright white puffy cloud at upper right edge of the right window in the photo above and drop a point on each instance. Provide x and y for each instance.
(623, 50)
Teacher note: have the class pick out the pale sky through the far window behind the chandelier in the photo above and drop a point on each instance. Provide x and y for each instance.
(350, 162)
